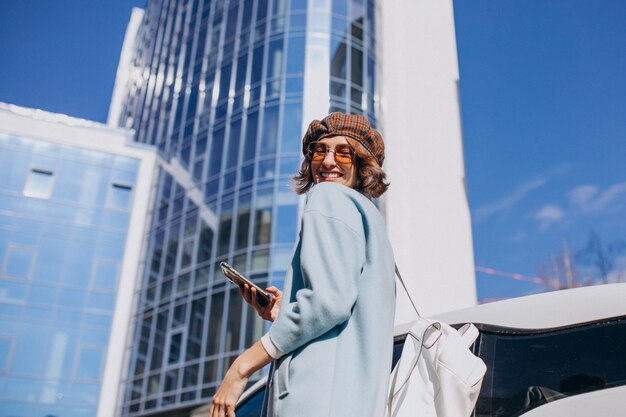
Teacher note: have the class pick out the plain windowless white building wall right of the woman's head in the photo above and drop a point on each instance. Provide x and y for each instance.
(426, 206)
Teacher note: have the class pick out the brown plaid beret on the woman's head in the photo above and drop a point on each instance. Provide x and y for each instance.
(354, 126)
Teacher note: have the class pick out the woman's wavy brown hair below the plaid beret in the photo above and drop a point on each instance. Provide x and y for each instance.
(370, 176)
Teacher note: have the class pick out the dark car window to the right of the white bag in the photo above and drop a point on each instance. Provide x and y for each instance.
(526, 370)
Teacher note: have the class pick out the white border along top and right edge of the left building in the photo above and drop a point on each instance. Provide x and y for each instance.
(84, 134)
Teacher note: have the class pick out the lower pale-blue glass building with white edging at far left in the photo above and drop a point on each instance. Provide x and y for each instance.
(69, 196)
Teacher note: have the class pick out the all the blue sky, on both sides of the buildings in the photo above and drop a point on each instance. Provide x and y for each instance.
(543, 93)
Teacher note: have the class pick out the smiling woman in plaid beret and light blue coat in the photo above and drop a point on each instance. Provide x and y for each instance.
(332, 333)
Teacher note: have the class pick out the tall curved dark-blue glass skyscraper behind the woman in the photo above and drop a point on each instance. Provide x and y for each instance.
(224, 89)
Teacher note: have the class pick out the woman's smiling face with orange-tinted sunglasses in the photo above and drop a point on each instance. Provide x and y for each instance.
(333, 169)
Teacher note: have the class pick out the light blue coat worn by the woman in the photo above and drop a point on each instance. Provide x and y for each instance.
(336, 320)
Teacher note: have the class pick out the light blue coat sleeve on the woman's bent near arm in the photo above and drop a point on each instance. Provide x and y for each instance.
(331, 259)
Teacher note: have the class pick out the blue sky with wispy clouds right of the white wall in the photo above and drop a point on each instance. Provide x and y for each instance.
(543, 92)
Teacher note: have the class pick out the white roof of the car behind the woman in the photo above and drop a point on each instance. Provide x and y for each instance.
(543, 311)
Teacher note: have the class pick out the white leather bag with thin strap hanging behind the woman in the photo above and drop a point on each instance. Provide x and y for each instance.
(437, 374)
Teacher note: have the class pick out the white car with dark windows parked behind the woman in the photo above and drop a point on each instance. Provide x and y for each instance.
(554, 354)
